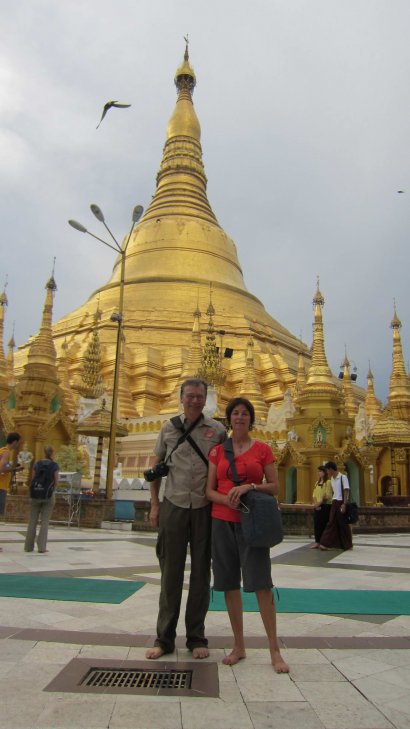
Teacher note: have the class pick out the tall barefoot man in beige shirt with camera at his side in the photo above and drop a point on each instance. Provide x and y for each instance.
(184, 518)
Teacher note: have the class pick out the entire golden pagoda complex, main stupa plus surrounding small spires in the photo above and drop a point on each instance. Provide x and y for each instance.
(185, 305)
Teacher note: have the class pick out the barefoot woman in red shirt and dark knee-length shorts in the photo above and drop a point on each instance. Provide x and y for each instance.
(254, 461)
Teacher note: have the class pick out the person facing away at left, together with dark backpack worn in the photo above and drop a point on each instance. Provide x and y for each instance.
(42, 500)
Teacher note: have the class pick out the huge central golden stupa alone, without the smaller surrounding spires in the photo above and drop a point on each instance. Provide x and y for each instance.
(175, 254)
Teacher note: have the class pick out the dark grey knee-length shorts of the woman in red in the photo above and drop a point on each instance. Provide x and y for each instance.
(230, 556)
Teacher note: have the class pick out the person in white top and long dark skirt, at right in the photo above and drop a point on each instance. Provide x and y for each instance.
(337, 533)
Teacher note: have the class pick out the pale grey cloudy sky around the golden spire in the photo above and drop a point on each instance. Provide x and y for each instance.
(304, 107)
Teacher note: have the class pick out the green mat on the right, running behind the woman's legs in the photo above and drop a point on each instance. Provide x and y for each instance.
(347, 602)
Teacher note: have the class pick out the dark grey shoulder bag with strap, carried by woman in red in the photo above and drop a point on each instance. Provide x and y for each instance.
(261, 520)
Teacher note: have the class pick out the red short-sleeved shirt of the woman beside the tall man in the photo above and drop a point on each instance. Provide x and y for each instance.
(250, 467)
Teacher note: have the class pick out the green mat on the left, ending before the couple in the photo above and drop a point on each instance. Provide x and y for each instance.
(74, 589)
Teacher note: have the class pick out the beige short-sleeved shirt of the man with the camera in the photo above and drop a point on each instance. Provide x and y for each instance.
(186, 480)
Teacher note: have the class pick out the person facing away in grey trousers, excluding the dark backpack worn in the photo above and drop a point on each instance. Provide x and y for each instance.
(42, 507)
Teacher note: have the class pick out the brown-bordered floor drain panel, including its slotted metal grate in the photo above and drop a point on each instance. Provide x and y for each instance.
(164, 678)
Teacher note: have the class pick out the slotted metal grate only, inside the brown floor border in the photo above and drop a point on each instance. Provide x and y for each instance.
(138, 679)
